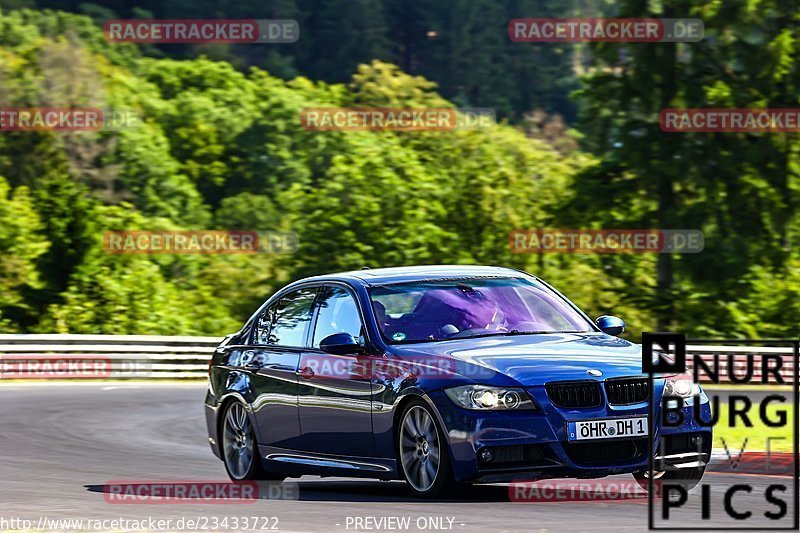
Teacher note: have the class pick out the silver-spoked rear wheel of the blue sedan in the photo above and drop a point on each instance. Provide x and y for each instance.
(240, 447)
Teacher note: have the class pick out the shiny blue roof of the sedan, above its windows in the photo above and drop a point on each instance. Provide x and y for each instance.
(382, 276)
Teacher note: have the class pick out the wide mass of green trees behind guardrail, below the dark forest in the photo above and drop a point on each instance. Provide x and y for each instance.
(221, 147)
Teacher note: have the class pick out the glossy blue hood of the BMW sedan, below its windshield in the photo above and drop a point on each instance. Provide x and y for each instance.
(536, 359)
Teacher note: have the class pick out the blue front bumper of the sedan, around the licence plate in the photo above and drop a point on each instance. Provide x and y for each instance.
(527, 445)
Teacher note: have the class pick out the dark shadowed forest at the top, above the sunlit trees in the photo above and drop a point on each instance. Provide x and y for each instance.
(460, 44)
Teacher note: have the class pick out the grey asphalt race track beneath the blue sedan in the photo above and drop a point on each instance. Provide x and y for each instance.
(61, 443)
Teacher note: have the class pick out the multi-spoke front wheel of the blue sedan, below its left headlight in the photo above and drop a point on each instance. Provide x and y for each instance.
(423, 454)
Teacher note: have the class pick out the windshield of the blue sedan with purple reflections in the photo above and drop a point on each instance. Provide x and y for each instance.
(473, 307)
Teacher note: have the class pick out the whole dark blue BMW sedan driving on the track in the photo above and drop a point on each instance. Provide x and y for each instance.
(440, 375)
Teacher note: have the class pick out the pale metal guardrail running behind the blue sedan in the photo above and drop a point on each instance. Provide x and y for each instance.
(160, 357)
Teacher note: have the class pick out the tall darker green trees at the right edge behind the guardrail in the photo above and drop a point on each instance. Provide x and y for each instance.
(740, 189)
